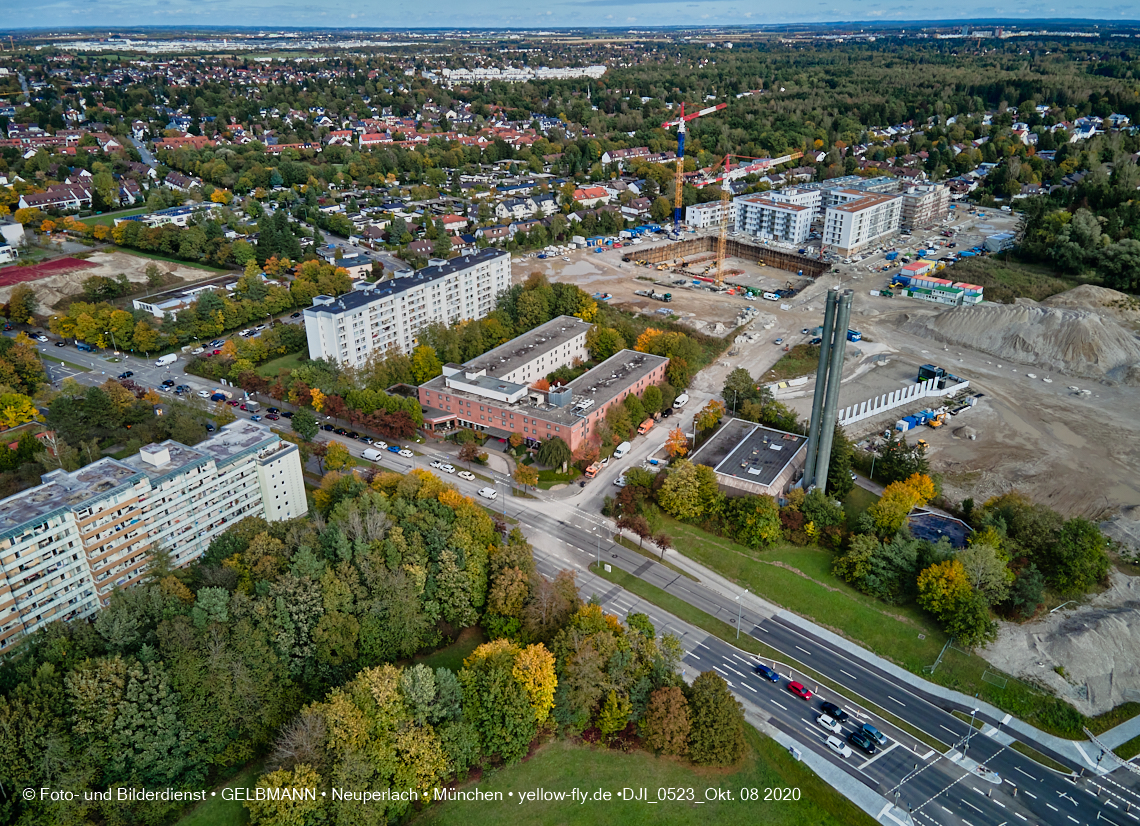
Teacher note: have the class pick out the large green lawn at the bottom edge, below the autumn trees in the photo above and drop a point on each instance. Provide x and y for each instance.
(561, 766)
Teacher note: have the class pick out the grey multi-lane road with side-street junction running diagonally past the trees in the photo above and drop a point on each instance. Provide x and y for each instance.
(968, 781)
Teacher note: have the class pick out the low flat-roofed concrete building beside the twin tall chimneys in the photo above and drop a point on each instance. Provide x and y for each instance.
(751, 460)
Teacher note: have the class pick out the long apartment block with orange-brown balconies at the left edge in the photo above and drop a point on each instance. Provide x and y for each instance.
(69, 543)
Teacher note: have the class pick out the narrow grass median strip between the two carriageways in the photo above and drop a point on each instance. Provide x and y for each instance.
(723, 631)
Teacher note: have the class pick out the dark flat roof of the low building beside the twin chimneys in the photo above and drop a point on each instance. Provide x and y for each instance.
(750, 452)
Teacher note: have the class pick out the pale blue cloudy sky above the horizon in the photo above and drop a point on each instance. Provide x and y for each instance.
(528, 14)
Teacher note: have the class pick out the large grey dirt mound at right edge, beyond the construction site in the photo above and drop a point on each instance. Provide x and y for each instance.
(1077, 342)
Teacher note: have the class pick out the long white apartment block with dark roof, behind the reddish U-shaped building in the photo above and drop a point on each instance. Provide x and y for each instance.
(392, 314)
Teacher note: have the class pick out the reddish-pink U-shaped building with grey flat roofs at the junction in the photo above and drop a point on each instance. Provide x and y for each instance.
(494, 394)
